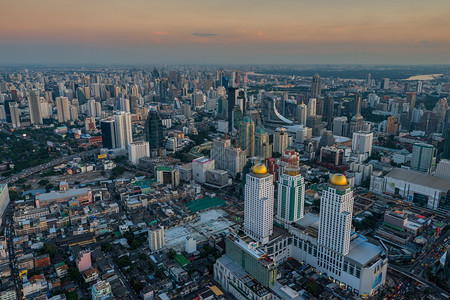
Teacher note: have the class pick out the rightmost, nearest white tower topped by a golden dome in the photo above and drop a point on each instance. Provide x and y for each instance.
(336, 207)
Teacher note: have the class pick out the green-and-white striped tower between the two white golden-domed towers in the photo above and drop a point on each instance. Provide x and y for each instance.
(291, 196)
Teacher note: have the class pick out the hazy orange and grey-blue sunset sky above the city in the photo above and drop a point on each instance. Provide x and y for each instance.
(225, 32)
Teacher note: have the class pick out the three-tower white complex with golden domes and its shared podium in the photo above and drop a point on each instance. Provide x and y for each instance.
(326, 242)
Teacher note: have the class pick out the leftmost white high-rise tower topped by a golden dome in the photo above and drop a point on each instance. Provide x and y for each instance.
(258, 204)
